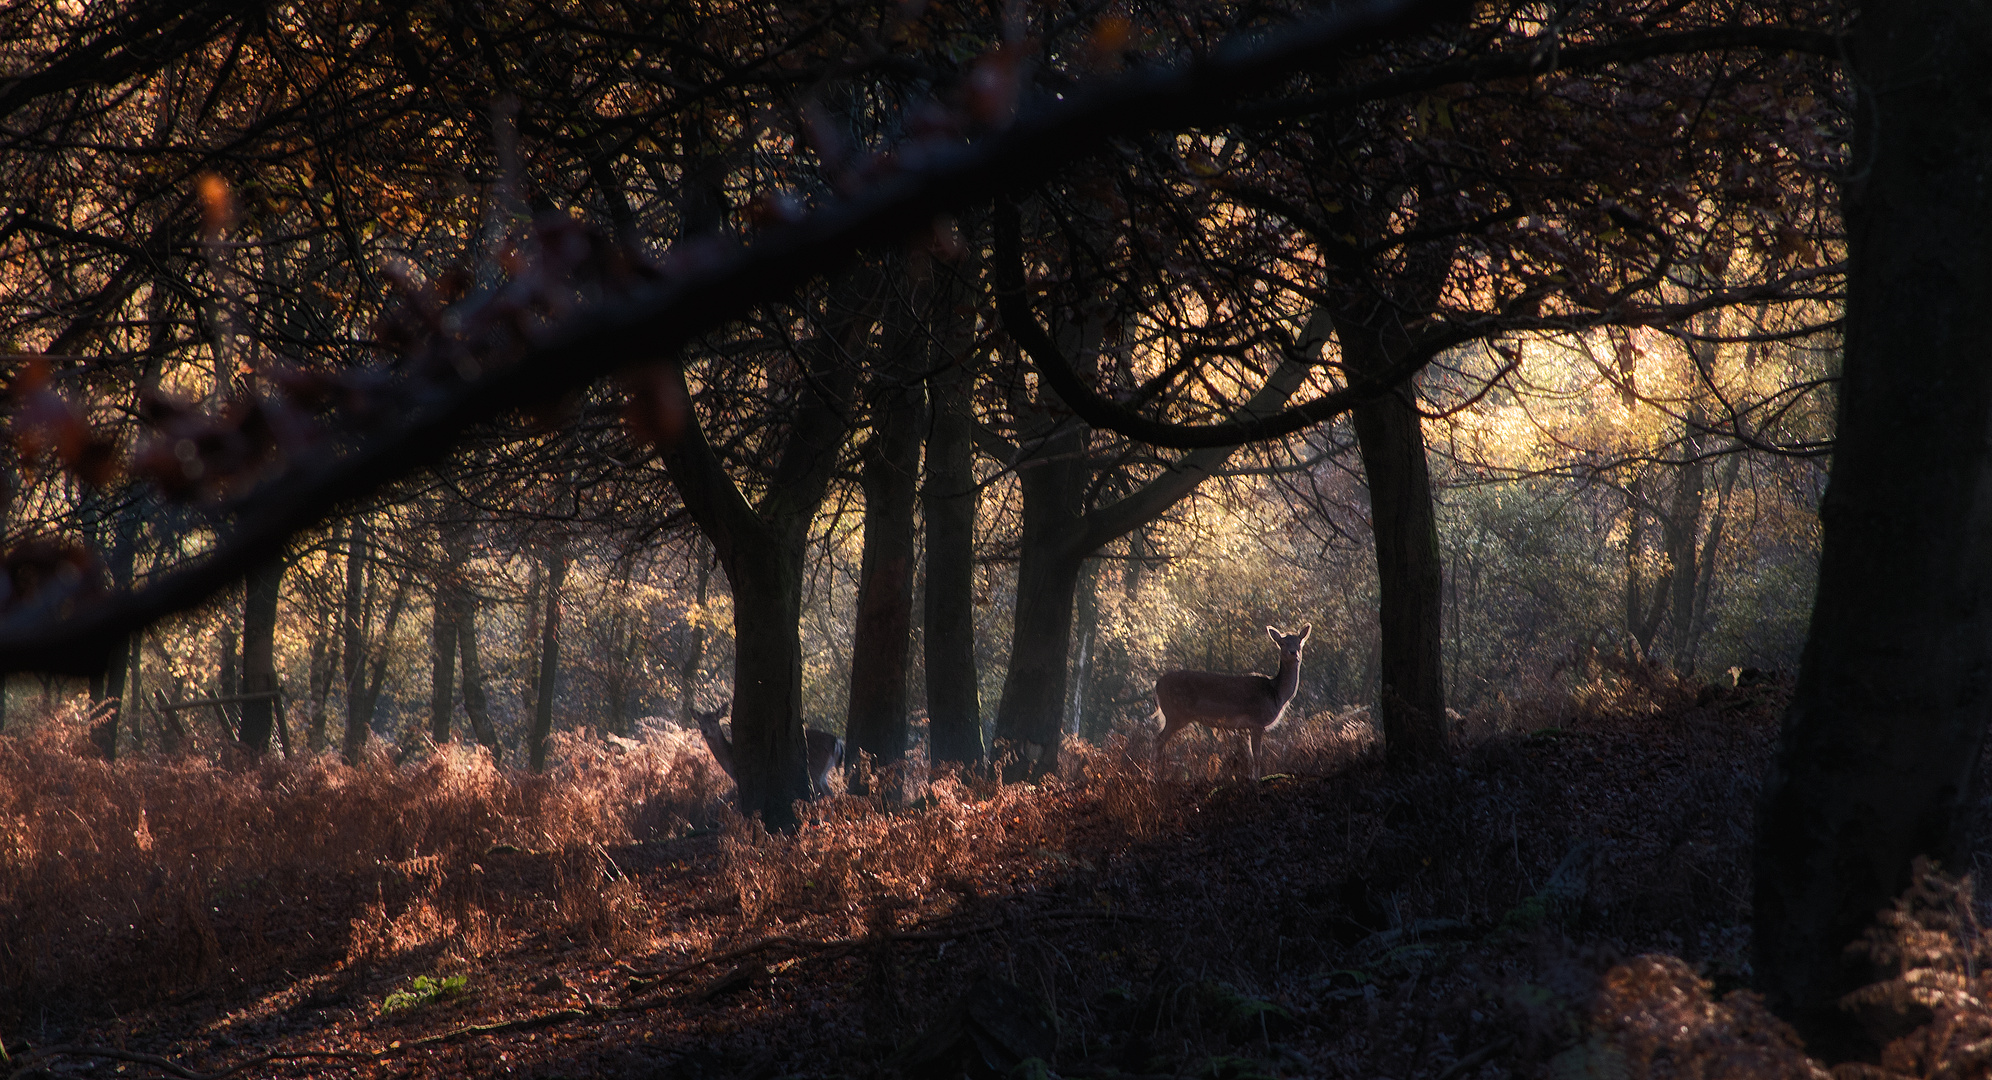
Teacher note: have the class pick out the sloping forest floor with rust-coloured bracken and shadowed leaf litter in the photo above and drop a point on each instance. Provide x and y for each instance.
(1567, 900)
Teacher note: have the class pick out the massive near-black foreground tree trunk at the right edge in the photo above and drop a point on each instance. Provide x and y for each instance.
(1883, 738)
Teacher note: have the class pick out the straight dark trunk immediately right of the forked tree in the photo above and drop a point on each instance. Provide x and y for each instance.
(881, 641)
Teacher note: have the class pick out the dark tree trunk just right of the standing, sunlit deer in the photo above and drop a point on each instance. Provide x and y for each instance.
(1409, 571)
